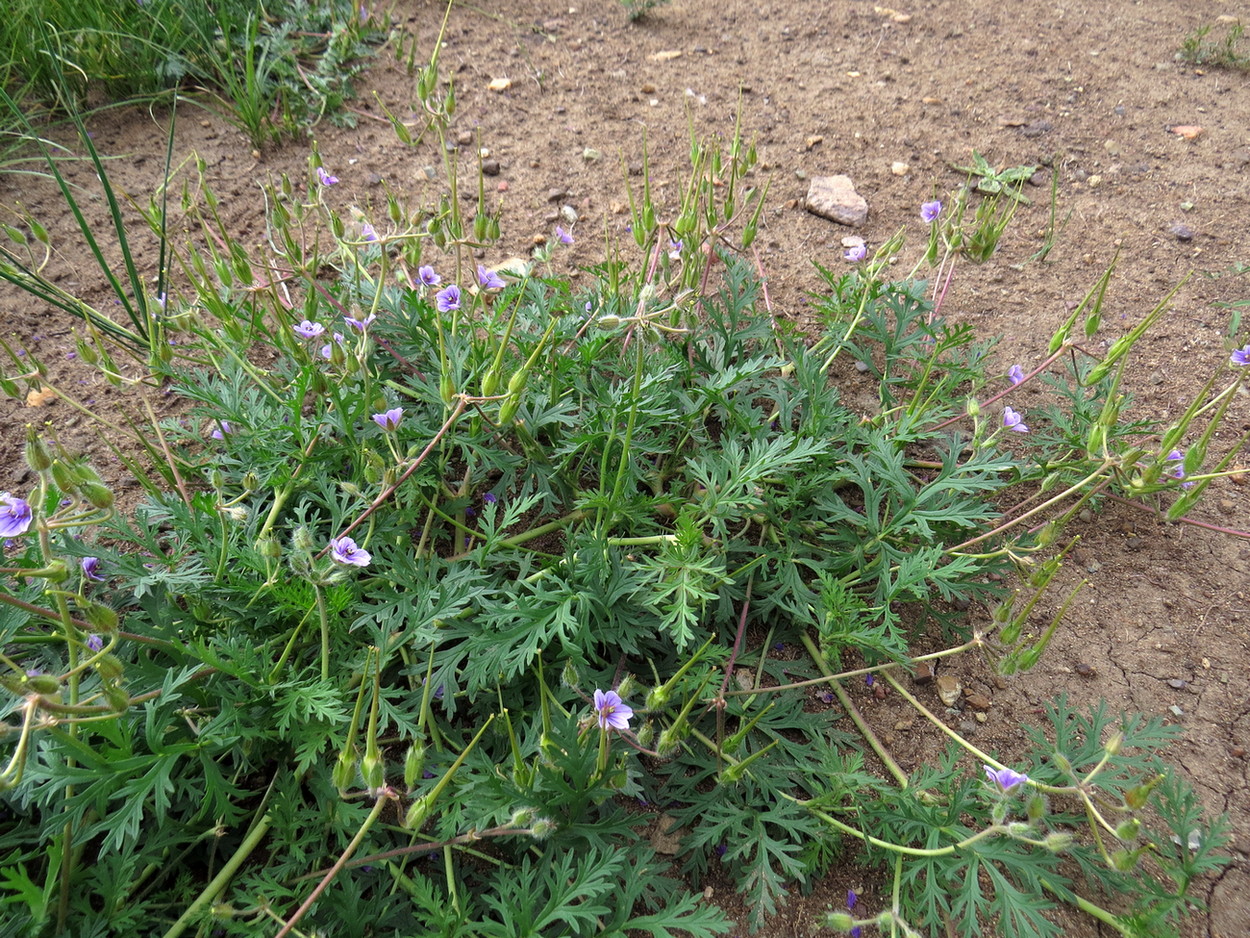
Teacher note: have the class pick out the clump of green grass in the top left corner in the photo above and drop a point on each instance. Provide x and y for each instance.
(277, 67)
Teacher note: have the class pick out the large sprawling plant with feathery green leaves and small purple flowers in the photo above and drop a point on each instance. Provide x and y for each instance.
(379, 657)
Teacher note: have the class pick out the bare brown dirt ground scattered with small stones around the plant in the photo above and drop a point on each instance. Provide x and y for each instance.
(1091, 91)
